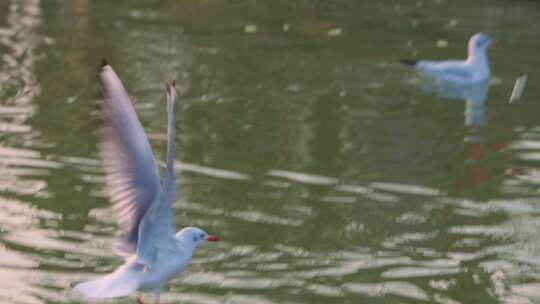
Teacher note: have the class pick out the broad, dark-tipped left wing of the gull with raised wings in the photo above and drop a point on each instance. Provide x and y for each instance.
(131, 172)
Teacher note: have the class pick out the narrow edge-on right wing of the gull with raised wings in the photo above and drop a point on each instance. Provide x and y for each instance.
(157, 228)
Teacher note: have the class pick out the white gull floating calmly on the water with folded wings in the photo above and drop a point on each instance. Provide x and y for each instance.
(471, 71)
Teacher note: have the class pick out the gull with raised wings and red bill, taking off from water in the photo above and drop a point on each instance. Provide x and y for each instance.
(153, 253)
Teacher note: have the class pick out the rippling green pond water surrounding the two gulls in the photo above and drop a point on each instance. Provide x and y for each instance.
(329, 173)
